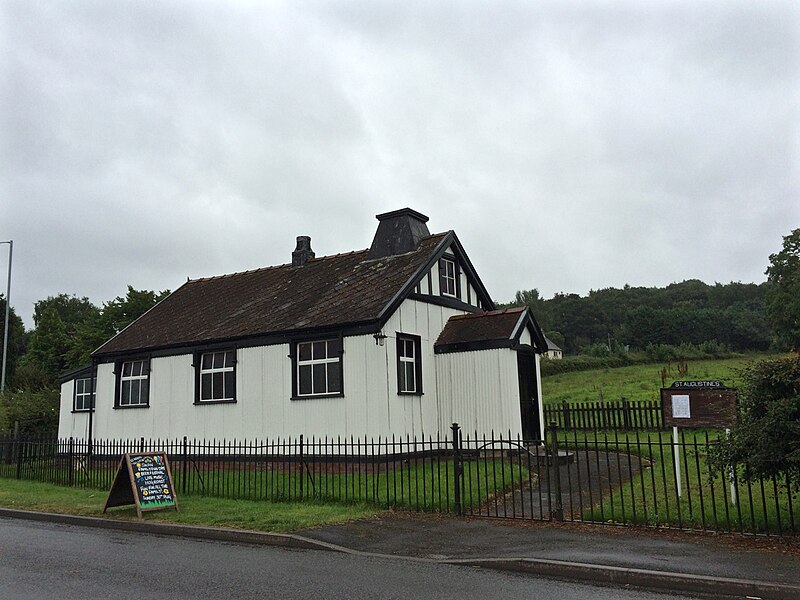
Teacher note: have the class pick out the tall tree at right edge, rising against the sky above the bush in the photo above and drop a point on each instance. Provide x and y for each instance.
(783, 293)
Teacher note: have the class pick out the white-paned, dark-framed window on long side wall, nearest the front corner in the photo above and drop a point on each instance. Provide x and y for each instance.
(318, 368)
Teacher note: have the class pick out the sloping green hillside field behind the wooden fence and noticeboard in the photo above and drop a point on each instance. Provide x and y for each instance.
(637, 382)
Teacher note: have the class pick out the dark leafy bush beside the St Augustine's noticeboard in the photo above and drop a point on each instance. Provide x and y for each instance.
(766, 440)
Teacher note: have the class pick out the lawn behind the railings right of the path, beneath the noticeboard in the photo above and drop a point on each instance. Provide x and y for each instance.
(651, 497)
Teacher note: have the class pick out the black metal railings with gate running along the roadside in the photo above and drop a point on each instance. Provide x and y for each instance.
(637, 477)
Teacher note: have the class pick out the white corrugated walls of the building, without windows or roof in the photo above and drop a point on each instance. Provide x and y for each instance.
(264, 408)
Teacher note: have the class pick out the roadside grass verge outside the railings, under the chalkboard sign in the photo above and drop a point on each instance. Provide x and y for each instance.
(216, 512)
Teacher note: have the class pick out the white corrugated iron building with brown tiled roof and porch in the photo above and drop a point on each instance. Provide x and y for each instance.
(399, 339)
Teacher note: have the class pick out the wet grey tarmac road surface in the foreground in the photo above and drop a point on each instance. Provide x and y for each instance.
(42, 561)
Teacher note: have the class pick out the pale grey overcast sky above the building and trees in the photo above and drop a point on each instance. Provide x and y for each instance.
(571, 145)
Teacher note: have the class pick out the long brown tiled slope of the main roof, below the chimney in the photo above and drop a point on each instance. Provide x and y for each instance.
(329, 291)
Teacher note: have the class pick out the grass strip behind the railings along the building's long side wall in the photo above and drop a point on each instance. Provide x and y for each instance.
(424, 484)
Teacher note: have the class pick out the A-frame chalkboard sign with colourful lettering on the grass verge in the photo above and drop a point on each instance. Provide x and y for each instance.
(143, 479)
